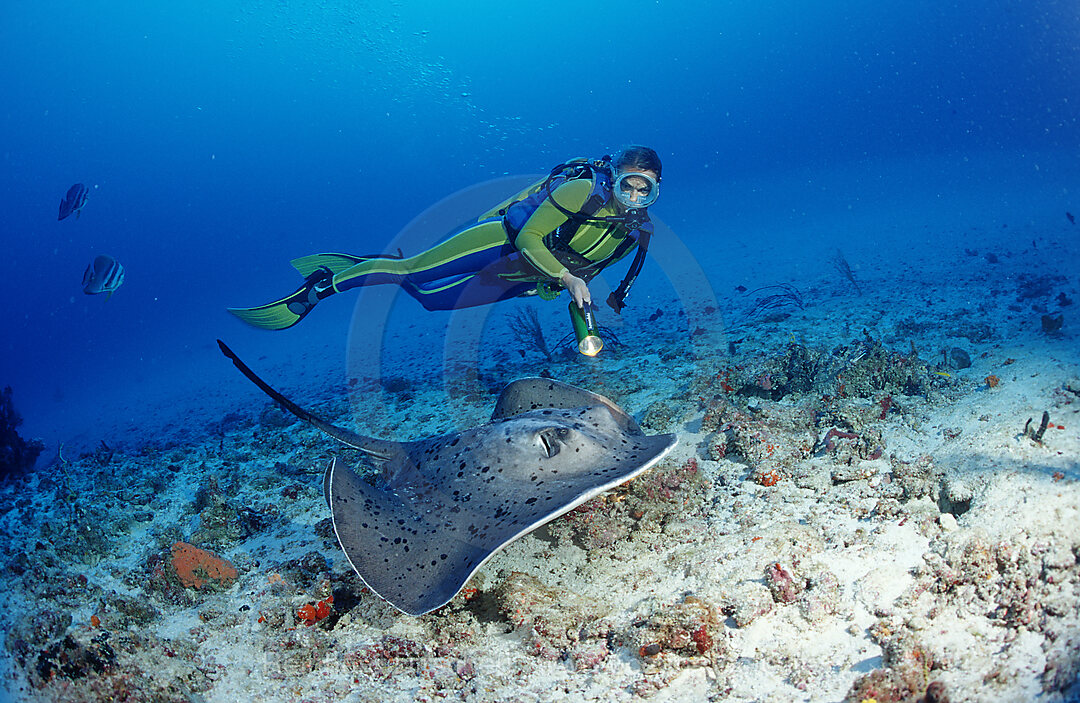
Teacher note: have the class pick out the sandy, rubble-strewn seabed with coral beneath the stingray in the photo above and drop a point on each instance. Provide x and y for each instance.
(858, 509)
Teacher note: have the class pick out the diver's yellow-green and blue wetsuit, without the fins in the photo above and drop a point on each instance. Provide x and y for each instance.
(479, 265)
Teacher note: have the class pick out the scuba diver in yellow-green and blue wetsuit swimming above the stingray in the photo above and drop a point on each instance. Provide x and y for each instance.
(557, 235)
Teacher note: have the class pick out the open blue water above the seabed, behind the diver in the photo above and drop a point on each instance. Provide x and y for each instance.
(220, 140)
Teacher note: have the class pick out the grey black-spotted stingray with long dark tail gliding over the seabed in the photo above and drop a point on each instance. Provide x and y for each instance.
(444, 506)
